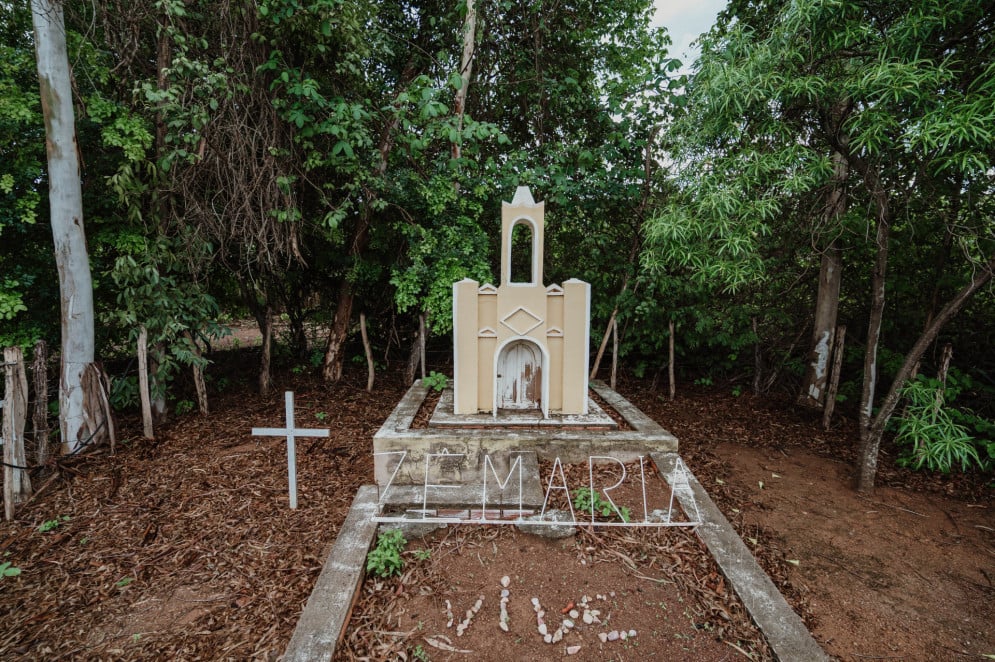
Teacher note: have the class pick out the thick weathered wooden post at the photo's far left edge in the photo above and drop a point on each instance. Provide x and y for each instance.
(16, 483)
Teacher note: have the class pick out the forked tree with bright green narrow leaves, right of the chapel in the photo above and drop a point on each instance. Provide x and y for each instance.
(917, 87)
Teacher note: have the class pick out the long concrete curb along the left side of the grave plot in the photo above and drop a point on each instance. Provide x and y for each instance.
(327, 611)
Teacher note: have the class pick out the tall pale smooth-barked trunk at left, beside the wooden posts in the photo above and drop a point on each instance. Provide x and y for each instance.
(66, 207)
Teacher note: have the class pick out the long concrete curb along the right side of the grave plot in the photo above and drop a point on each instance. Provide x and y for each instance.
(785, 632)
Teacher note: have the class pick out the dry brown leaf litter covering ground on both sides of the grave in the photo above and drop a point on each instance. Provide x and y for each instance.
(184, 547)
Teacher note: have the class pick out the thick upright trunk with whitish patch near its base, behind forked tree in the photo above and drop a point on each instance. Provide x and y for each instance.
(813, 389)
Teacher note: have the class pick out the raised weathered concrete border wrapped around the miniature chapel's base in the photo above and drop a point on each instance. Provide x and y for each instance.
(470, 446)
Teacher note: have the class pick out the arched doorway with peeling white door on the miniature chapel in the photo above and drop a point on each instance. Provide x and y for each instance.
(521, 376)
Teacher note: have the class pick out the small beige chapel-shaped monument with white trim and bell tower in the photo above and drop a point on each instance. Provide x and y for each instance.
(521, 345)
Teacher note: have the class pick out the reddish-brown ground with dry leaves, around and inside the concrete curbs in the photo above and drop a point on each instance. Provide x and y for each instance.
(184, 548)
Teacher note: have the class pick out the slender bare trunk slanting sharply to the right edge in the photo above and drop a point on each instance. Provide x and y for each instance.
(869, 448)
